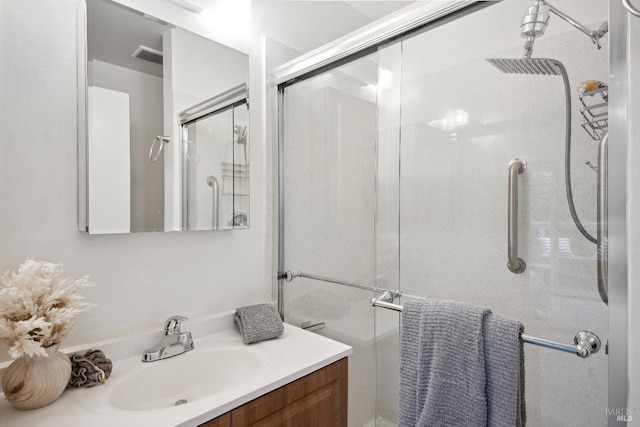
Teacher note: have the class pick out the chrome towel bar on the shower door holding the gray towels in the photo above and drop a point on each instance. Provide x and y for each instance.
(585, 342)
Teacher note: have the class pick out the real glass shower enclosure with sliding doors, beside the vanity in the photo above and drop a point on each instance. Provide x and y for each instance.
(394, 175)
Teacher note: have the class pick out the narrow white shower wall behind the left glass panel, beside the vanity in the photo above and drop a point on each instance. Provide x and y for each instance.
(330, 186)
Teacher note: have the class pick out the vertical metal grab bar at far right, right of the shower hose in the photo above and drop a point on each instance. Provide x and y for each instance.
(602, 235)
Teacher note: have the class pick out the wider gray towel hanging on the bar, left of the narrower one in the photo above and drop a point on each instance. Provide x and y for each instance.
(440, 357)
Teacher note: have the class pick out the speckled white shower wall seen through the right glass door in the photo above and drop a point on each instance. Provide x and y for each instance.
(463, 121)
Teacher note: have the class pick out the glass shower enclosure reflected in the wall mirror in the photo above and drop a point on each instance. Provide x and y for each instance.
(215, 182)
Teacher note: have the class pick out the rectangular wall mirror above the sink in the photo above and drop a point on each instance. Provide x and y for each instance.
(163, 124)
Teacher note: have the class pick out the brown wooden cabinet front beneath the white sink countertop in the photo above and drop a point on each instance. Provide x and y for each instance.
(316, 400)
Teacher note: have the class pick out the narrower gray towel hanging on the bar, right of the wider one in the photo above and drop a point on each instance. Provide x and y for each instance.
(504, 364)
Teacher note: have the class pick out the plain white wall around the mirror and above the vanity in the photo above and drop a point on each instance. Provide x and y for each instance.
(140, 278)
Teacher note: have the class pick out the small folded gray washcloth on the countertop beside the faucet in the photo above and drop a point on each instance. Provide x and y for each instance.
(258, 322)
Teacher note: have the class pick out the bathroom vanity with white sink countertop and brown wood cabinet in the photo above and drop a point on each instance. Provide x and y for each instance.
(298, 377)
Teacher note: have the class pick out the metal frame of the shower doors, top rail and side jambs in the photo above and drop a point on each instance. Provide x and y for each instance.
(425, 15)
